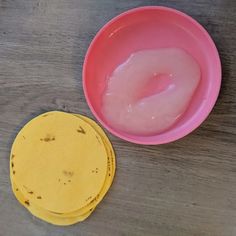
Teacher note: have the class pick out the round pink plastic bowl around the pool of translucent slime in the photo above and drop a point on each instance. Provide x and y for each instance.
(148, 28)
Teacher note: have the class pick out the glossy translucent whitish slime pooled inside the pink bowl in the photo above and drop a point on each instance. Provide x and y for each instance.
(150, 91)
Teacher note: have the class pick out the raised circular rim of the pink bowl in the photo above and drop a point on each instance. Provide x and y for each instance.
(204, 113)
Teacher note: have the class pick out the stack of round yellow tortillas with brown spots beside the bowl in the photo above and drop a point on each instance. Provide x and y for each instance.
(61, 166)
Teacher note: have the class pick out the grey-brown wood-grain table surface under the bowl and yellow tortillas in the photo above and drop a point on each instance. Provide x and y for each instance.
(182, 189)
